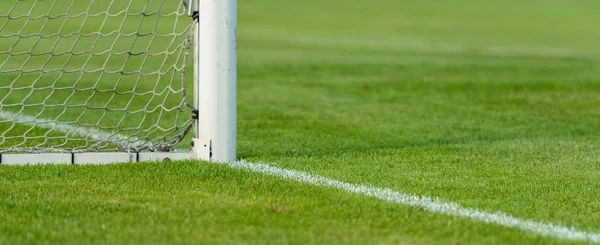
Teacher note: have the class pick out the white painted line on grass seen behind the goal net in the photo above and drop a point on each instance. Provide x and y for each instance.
(96, 134)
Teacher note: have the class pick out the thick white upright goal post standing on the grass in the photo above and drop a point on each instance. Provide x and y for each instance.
(217, 80)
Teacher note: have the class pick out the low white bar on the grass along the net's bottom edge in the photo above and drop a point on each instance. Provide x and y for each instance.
(92, 158)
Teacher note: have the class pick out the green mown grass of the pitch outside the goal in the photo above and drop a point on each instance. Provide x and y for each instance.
(491, 105)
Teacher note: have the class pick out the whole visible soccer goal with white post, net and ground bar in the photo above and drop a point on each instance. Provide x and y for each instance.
(106, 81)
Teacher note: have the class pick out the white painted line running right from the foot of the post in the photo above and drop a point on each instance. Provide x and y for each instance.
(427, 203)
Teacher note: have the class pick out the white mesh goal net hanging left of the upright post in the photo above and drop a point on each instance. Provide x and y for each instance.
(94, 75)
